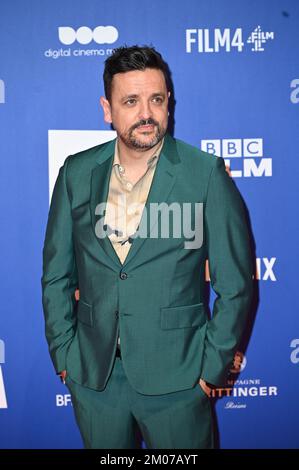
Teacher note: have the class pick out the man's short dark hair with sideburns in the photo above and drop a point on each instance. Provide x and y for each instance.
(125, 59)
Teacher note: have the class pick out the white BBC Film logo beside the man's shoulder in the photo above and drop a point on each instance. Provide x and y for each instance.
(244, 157)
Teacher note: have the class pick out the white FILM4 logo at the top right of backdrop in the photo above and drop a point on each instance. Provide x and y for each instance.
(225, 40)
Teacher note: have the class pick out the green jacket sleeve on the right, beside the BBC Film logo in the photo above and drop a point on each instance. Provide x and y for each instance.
(231, 273)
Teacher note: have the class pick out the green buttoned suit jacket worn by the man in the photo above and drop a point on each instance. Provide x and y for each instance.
(156, 301)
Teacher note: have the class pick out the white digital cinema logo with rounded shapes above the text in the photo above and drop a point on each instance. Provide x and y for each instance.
(84, 35)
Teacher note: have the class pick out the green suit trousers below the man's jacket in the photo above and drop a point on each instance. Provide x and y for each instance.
(119, 417)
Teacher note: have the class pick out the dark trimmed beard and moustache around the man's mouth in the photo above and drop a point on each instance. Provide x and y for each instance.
(134, 143)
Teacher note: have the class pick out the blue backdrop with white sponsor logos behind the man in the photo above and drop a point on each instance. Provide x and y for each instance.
(235, 68)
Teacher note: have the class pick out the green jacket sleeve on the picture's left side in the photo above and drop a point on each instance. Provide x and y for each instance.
(59, 278)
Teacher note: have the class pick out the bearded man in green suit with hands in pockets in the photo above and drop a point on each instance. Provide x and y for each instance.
(131, 225)
